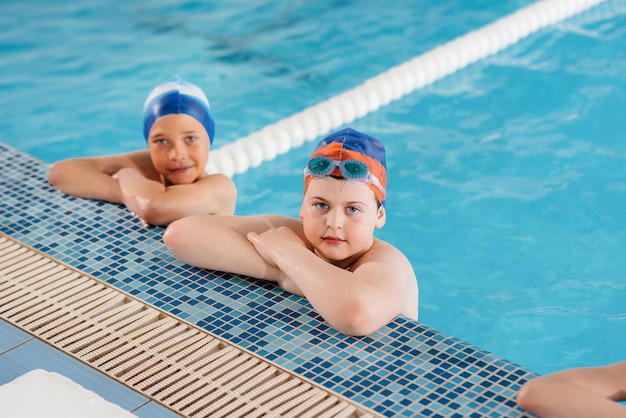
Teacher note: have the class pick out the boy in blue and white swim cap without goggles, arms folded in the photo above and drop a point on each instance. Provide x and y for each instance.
(168, 180)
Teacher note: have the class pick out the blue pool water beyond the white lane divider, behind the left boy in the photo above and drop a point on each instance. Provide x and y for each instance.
(79, 71)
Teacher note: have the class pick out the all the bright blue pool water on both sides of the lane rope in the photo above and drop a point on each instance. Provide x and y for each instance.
(507, 179)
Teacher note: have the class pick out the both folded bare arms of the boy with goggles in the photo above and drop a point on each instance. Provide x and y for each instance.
(273, 247)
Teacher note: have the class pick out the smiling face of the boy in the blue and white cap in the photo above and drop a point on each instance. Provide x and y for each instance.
(179, 148)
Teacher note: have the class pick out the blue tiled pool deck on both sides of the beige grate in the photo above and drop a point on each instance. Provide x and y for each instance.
(404, 369)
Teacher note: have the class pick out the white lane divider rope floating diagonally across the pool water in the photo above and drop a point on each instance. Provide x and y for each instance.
(278, 138)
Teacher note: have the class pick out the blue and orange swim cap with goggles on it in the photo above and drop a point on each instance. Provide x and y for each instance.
(351, 155)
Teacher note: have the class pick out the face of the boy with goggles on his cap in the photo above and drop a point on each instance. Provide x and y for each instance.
(339, 218)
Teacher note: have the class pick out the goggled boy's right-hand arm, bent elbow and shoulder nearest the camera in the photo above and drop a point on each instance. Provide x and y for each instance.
(357, 302)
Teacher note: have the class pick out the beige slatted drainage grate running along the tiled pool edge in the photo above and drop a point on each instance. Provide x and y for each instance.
(172, 362)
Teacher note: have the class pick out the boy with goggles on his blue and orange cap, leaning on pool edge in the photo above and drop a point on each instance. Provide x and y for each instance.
(356, 282)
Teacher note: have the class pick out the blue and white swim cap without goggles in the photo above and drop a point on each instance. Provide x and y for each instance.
(176, 97)
